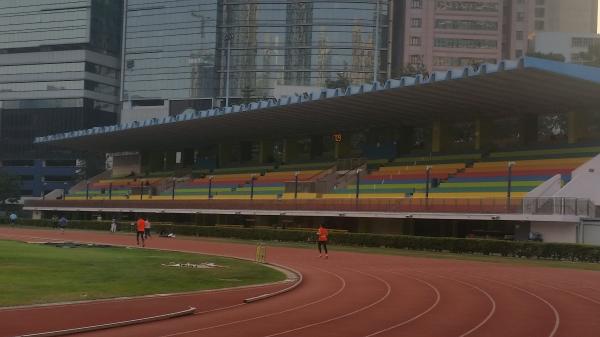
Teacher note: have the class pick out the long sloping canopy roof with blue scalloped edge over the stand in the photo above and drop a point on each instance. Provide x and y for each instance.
(527, 85)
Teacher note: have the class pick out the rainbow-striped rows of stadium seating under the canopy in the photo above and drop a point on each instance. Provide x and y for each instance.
(451, 177)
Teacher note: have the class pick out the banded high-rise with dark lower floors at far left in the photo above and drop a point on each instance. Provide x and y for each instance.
(59, 71)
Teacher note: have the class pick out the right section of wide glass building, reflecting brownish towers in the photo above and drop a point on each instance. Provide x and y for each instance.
(302, 43)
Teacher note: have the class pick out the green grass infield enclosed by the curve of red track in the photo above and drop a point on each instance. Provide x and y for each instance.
(35, 274)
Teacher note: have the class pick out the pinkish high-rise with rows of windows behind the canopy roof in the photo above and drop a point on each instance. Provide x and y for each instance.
(440, 34)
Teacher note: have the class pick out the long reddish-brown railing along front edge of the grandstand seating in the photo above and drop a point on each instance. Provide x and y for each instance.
(538, 206)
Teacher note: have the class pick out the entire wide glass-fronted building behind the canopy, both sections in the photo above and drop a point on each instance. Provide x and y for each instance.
(177, 50)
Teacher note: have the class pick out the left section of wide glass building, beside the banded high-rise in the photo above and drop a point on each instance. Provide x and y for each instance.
(170, 49)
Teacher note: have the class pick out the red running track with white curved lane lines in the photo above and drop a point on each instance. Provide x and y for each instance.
(348, 295)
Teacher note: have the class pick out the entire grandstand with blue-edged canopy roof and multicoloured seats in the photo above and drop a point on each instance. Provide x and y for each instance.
(501, 151)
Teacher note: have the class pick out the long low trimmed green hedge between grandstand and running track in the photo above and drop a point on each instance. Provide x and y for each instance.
(521, 249)
